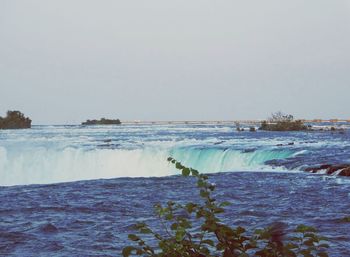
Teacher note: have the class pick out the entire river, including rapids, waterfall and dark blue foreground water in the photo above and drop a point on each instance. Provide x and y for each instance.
(261, 174)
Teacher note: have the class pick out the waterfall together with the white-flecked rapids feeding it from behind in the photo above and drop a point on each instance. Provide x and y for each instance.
(50, 154)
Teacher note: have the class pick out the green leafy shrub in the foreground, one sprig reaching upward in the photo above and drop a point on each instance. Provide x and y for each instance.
(213, 238)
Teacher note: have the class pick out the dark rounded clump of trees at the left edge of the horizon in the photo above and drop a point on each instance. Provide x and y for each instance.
(15, 120)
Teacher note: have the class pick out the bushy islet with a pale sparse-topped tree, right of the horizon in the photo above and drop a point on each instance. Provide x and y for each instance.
(282, 122)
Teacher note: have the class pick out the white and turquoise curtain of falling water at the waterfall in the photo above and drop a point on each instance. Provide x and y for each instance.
(42, 165)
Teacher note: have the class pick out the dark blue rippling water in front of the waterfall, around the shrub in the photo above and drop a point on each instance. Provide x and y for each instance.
(96, 216)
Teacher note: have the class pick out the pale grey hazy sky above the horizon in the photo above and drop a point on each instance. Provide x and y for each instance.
(65, 61)
